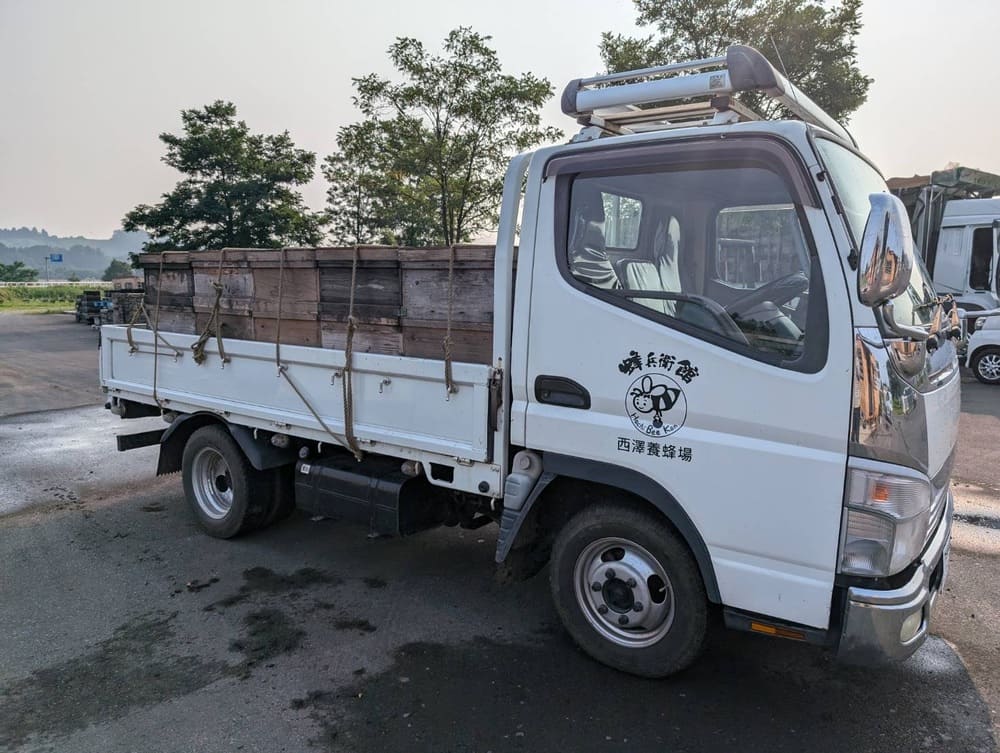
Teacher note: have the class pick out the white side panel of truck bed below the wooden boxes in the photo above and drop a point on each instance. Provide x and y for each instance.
(397, 401)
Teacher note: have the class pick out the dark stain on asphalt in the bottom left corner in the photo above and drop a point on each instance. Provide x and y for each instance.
(129, 670)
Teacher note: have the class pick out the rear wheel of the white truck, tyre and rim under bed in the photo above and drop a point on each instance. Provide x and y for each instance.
(226, 494)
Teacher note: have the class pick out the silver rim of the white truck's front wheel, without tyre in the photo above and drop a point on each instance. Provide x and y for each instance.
(624, 592)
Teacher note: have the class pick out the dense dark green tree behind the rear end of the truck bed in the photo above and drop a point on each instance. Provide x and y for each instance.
(238, 188)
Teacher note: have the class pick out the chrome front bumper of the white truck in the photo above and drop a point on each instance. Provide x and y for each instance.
(873, 619)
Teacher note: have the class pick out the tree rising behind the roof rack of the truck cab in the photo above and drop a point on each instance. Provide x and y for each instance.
(815, 43)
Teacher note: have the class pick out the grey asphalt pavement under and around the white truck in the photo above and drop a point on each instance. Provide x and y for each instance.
(123, 628)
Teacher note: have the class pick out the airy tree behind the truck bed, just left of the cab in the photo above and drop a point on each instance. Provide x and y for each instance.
(426, 164)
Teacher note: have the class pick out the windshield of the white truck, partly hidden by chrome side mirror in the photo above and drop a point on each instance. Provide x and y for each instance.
(853, 180)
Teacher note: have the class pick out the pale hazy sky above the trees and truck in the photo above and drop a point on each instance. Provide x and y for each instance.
(87, 85)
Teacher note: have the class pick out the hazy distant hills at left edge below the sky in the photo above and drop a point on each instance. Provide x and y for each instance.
(86, 258)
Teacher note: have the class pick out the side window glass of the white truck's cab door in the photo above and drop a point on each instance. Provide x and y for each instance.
(719, 251)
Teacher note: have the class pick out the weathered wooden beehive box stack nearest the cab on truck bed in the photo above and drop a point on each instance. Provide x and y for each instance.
(425, 294)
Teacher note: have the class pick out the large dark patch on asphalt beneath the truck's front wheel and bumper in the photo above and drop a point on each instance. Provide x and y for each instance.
(745, 693)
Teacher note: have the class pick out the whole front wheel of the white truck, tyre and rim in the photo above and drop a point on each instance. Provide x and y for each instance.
(629, 592)
